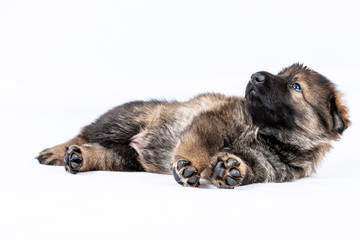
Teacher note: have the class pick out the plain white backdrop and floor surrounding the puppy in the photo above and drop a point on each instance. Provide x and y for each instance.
(63, 63)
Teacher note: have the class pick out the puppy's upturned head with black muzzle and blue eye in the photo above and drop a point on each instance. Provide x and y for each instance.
(298, 103)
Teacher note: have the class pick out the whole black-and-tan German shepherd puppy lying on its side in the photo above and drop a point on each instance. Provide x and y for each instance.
(279, 132)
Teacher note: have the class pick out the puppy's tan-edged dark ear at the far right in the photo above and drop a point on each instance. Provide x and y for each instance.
(339, 113)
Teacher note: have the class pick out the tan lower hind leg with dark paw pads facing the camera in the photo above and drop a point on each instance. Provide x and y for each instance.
(91, 157)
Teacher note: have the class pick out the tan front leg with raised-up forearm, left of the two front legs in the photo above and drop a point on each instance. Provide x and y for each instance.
(200, 142)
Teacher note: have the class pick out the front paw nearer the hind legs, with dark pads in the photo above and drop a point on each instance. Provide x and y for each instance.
(186, 174)
